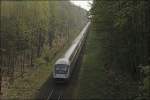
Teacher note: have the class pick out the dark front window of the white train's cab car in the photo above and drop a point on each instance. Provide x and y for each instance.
(61, 69)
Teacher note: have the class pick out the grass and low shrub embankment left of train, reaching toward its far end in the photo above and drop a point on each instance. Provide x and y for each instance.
(28, 86)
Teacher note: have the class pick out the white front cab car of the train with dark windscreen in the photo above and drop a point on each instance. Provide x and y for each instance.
(61, 70)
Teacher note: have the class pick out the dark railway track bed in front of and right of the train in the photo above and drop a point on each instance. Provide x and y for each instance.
(52, 91)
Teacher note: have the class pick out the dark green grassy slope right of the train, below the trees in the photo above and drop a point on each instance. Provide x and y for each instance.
(97, 80)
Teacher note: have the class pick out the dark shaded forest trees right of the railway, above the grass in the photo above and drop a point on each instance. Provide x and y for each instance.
(122, 28)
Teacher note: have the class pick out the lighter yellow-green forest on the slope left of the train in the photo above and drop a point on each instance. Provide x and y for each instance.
(32, 33)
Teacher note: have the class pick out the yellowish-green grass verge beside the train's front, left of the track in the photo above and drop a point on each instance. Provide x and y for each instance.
(28, 86)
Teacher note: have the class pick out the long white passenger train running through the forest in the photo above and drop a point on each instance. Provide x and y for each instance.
(64, 66)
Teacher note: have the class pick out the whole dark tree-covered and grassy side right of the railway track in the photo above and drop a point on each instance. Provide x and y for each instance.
(117, 59)
